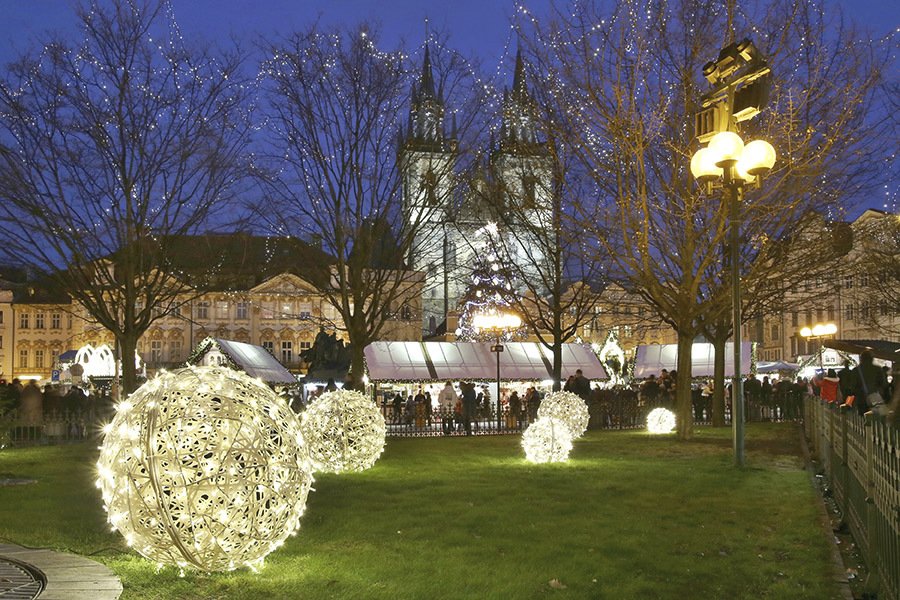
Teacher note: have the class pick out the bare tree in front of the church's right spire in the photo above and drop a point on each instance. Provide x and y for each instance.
(533, 194)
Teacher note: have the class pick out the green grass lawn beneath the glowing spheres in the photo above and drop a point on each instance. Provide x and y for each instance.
(629, 516)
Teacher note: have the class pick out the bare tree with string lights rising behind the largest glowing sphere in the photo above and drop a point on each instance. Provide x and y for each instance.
(109, 146)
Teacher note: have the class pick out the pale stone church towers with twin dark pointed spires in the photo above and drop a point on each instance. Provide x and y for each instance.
(458, 215)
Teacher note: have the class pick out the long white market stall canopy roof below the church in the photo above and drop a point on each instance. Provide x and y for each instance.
(440, 361)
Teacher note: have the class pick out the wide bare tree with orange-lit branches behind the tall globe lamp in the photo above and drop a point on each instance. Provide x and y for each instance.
(628, 78)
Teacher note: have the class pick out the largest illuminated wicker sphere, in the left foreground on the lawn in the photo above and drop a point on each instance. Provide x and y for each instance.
(204, 468)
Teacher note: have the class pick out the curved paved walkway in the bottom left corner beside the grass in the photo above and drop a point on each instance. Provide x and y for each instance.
(66, 576)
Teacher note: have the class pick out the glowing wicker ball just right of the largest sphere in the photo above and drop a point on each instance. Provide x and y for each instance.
(344, 431)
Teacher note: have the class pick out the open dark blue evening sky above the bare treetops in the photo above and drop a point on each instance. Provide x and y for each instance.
(480, 27)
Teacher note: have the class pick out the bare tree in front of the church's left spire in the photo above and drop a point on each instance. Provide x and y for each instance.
(341, 166)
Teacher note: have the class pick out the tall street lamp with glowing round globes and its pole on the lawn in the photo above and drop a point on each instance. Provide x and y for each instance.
(729, 164)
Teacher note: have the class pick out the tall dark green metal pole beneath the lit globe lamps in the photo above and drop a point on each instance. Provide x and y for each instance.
(737, 386)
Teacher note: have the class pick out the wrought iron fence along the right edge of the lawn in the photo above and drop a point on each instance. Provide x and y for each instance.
(860, 455)
